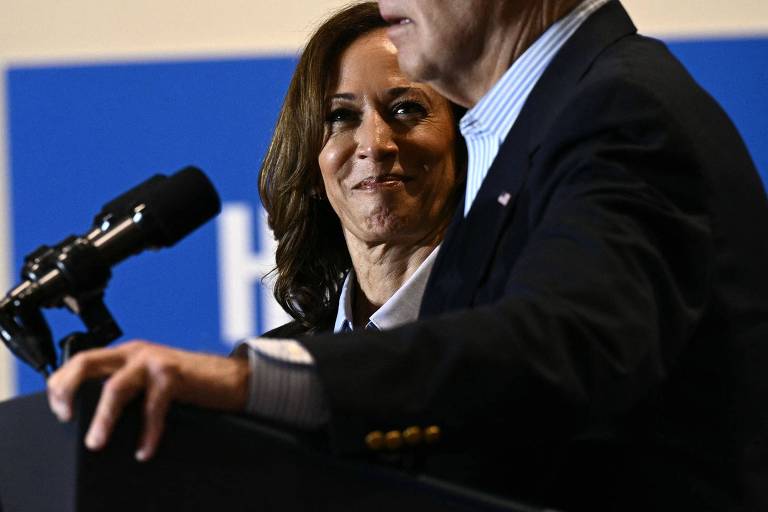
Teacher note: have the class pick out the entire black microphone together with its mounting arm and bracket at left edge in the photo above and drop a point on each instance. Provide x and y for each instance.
(75, 272)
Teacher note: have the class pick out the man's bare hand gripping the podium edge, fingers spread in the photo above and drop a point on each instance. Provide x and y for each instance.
(164, 374)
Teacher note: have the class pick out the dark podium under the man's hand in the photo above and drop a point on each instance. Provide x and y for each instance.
(207, 461)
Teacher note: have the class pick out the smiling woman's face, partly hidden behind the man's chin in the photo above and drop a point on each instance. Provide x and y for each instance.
(388, 159)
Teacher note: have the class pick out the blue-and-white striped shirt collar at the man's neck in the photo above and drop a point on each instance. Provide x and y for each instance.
(496, 112)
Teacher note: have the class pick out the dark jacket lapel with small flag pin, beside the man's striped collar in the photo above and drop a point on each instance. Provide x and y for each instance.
(470, 244)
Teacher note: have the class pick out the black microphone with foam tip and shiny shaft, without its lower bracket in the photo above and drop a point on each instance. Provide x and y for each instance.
(155, 214)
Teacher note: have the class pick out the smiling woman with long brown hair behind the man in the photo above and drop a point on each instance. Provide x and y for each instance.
(362, 174)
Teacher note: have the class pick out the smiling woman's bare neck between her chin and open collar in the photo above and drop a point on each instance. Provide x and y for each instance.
(380, 270)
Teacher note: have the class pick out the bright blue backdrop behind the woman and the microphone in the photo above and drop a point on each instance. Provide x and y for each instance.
(80, 135)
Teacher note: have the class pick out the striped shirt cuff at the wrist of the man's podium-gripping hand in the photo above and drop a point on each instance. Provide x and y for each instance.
(283, 383)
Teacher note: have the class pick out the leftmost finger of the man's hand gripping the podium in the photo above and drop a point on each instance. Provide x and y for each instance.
(63, 384)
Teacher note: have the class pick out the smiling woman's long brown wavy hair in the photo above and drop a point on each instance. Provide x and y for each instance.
(312, 256)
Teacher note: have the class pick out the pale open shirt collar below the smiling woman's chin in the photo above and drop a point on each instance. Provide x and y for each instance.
(402, 308)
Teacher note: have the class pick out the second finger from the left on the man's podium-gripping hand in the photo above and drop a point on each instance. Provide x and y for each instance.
(124, 385)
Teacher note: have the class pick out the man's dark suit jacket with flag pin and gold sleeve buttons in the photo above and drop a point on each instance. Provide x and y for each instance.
(599, 341)
